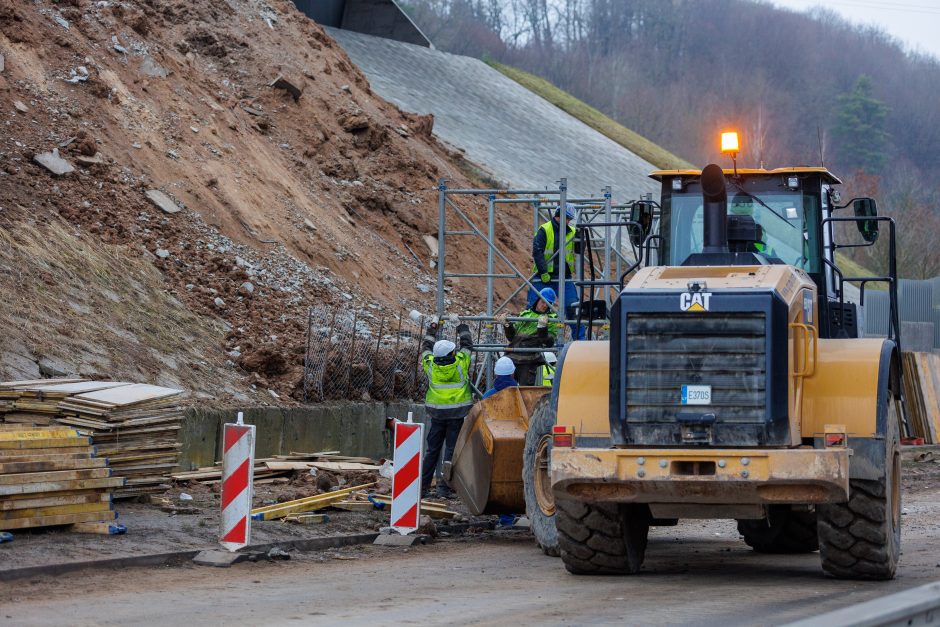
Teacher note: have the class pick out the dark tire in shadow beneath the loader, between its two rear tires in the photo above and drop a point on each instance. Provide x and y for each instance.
(785, 530)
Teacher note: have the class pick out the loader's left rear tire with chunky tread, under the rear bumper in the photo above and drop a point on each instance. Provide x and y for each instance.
(602, 538)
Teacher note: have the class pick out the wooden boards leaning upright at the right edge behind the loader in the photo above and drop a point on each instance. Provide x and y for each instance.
(922, 395)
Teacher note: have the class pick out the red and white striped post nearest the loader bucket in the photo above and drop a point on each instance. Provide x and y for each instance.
(406, 482)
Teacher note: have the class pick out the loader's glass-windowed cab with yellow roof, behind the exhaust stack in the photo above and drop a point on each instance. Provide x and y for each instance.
(776, 215)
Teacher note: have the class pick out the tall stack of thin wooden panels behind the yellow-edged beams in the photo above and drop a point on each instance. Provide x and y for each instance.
(134, 425)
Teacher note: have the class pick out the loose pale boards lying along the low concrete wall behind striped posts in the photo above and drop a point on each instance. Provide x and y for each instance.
(280, 467)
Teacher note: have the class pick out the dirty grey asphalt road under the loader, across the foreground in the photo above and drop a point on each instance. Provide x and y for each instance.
(697, 573)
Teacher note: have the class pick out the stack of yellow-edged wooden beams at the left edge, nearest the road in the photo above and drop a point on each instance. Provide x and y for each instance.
(52, 476)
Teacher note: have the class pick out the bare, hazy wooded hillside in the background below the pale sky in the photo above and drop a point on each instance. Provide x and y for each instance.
(802, 89)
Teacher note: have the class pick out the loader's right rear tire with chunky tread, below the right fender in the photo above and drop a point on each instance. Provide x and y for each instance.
(861, 539)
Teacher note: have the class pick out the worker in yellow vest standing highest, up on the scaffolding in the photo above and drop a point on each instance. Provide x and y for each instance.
(546, 255)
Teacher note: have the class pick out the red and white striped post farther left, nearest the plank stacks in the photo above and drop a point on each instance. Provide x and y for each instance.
(238, 470)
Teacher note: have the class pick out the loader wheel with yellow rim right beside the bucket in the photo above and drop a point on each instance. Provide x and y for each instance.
(536, 483)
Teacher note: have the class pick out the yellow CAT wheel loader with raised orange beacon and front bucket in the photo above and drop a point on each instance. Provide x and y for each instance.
(735, 384)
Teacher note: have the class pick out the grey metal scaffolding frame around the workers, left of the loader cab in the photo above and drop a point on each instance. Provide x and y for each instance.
(599, 217)
